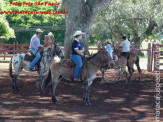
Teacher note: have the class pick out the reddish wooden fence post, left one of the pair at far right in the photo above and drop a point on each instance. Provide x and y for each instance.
(149, 55)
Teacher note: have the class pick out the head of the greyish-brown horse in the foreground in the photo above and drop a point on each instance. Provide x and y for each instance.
(106, 58)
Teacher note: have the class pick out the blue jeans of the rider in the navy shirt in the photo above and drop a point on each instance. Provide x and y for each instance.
(78, 61)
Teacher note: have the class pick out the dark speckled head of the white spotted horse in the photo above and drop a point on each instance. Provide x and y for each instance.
(57, 50)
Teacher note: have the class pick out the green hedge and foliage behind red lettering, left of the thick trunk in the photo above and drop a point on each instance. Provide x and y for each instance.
(25, 20)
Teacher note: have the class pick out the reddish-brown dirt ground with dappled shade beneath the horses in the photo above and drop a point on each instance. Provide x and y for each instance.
(110, 102)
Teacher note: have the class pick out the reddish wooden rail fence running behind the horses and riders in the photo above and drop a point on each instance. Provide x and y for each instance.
(23, 48)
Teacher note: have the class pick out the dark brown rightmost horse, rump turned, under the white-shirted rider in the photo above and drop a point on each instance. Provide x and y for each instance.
(132, 58)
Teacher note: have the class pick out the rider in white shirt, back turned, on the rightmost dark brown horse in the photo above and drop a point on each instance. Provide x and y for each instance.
(125, 45)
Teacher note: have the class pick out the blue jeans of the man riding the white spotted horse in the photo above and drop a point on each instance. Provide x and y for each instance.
(35, 60)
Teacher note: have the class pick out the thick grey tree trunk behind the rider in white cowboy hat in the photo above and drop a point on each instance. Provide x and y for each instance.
(80, 17)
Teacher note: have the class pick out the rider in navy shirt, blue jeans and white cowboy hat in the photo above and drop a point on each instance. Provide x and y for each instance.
(77, 51)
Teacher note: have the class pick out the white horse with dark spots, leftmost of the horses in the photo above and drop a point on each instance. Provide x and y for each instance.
(22, 61)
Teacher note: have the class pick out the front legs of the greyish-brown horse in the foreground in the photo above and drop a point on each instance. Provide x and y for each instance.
(86, 93)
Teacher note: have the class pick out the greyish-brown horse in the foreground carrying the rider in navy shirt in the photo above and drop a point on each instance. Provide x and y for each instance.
(93, 64)
